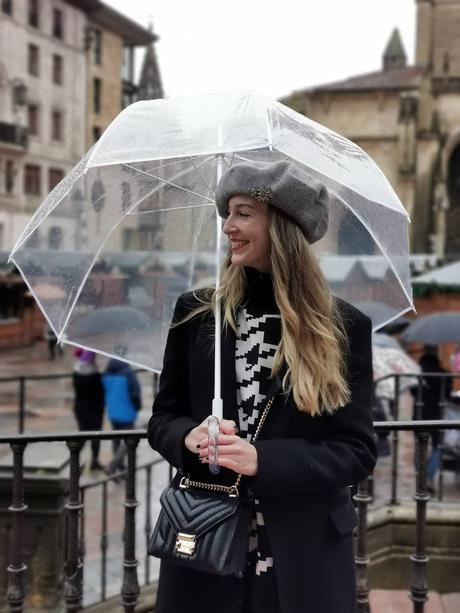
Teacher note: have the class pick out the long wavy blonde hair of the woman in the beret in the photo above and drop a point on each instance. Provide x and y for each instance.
(313, 342)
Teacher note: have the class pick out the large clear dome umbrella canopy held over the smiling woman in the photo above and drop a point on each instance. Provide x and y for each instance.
(148, 186)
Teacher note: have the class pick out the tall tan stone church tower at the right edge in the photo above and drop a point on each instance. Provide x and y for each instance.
(438, 53)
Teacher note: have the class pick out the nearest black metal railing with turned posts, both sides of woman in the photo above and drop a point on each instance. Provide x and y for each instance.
(129, 592)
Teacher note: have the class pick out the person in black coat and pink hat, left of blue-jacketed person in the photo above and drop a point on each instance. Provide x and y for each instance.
(89, 399)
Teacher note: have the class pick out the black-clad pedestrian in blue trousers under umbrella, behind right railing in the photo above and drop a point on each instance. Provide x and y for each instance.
(433, 390)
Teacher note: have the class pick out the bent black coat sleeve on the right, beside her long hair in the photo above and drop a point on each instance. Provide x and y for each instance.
(344, 453)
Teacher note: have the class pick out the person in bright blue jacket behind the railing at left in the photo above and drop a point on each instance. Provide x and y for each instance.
(123, 402)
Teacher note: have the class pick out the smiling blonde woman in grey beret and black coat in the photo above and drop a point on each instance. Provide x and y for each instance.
(284, 336)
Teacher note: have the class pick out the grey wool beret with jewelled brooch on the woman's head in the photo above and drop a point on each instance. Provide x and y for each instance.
(284, 186)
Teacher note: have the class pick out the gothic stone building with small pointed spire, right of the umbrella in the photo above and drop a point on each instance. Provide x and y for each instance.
(408, 119)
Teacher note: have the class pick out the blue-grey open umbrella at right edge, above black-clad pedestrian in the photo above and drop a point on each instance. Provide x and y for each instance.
(434, 329)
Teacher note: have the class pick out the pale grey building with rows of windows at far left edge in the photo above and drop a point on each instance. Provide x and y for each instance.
(42, 111)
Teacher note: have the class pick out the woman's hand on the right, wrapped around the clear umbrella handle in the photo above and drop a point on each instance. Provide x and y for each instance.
(234, 453)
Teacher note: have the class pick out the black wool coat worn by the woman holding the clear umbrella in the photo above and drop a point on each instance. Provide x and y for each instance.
(305, 465)
